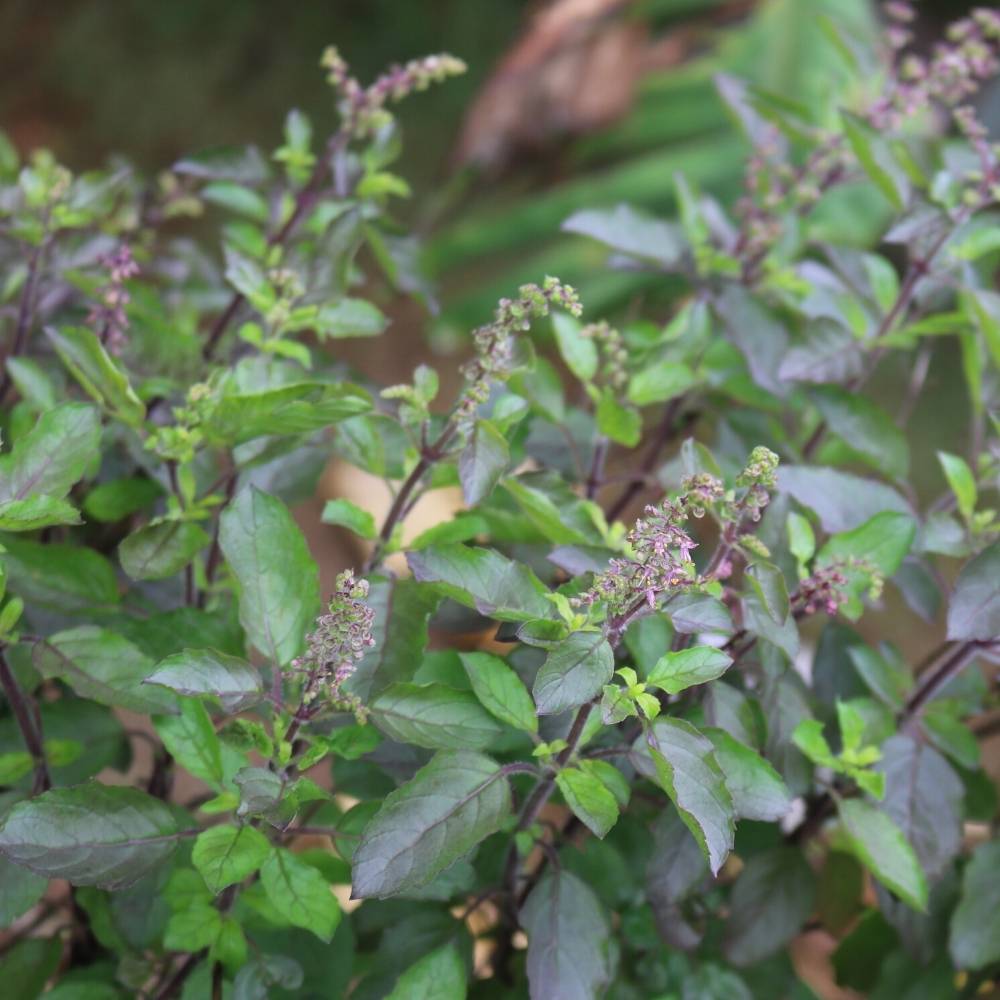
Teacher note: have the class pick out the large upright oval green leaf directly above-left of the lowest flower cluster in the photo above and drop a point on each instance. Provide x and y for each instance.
(279, 583)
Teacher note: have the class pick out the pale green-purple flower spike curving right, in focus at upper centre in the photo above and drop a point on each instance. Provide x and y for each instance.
(494, 342)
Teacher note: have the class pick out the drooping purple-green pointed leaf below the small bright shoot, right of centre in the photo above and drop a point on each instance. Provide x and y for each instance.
(683, 761)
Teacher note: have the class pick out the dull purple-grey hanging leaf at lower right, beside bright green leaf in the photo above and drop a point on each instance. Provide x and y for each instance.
(924, 797)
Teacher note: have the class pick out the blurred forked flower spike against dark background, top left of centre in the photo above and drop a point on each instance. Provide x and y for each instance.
(364, 108)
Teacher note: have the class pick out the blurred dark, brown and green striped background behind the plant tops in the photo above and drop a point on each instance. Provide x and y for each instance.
(567, 104)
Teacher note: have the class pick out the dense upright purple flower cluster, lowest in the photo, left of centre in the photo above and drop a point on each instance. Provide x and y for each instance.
(341, 637)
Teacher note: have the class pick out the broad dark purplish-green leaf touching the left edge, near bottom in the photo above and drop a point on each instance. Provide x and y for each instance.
(91, 834)
